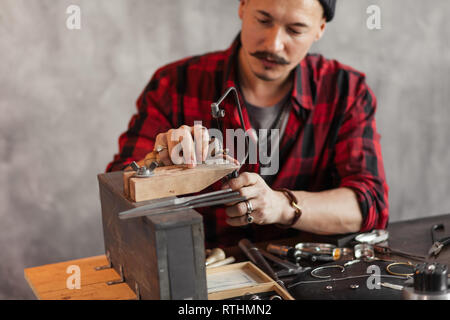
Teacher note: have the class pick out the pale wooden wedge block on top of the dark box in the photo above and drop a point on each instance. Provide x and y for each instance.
(174, 180)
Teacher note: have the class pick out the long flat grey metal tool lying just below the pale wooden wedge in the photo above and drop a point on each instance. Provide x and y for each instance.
(179, 204)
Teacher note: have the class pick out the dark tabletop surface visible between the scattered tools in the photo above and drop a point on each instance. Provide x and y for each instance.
(411, 236)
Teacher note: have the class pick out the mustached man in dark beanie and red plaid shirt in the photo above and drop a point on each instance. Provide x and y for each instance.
(331, 166)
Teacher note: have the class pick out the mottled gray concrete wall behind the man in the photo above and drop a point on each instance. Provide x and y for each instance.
(66, 95)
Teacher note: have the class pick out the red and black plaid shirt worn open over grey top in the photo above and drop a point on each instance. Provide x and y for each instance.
(330, 139)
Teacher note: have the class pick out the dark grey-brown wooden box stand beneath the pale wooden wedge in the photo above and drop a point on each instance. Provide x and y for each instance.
(160, 256)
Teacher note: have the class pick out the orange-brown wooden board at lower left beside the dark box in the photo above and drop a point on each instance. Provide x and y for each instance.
(49, 282)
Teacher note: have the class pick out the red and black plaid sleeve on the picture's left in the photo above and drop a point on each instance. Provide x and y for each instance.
(154, 116)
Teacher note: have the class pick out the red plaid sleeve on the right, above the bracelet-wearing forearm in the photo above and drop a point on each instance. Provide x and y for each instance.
(358, 157)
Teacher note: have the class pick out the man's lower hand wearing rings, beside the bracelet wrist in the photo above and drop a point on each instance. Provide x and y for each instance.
(269, 206)
